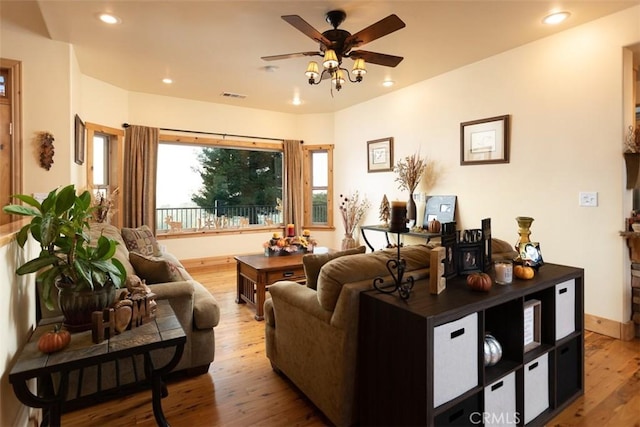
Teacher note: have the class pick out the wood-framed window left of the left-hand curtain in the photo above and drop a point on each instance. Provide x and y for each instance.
(104, 166)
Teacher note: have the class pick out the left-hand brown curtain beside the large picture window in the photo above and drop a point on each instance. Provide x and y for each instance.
(140, 166)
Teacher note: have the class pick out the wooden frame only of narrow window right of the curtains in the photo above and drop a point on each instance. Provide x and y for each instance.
(307, 151)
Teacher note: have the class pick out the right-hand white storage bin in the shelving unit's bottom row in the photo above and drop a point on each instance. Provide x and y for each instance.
(536, 387)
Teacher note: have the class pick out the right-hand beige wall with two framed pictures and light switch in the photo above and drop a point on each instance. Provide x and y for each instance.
(564, 95)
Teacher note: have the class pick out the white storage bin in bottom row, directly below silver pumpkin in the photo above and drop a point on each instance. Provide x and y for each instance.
(500, 402)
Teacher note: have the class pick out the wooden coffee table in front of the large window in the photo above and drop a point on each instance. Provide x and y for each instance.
(257, 272)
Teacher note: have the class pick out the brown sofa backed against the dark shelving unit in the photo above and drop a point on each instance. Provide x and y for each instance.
(312, 331)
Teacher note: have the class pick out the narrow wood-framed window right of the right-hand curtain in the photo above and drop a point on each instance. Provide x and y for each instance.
(318, 186)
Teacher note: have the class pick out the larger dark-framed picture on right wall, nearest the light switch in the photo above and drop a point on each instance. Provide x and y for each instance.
(485, 141)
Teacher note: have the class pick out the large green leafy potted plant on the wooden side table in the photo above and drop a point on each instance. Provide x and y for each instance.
(85, 274)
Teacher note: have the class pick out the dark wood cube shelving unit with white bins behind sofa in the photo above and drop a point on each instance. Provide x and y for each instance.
(401, 343)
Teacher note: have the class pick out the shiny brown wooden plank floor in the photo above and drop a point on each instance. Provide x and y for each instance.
(242, 390)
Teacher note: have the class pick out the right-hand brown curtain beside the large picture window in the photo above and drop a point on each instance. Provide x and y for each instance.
(293, 197)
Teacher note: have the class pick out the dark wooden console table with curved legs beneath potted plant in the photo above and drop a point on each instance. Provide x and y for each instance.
(164, 331)
